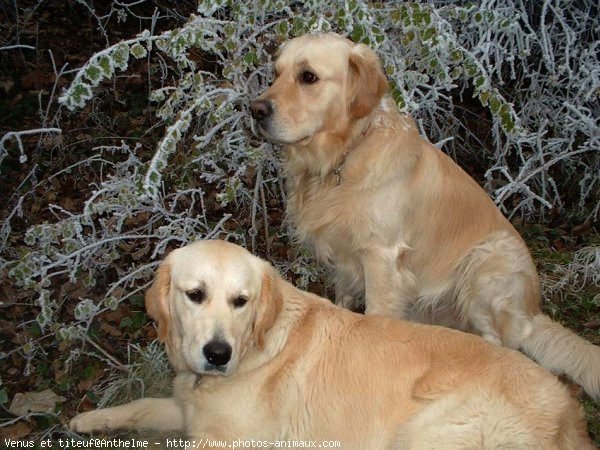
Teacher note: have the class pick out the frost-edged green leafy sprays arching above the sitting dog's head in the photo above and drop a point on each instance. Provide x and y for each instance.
(432, 53)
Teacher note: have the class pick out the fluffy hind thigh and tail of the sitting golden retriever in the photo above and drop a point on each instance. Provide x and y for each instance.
(498, 296)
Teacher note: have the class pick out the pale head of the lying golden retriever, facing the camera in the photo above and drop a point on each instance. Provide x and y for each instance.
(212, 300)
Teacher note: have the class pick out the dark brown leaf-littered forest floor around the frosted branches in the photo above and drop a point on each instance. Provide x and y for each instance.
(62, 32)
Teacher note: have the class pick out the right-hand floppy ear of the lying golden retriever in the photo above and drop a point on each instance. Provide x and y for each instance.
(269, 306)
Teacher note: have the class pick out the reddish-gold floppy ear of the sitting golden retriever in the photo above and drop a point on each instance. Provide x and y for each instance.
(368, 83)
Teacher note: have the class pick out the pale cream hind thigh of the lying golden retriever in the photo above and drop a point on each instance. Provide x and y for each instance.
(489, 421)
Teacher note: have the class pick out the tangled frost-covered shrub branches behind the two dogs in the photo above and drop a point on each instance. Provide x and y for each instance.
(510, 88)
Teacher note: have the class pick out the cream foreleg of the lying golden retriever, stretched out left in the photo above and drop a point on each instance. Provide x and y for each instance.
(158, 414)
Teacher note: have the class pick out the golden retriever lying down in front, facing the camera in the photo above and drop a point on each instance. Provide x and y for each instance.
(258, 359)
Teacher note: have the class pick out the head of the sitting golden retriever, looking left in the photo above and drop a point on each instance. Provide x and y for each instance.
(323, 84)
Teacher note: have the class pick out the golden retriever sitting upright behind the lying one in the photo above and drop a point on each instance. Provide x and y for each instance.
(399, 221)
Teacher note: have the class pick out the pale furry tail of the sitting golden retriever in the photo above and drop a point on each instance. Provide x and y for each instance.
(562, 351)
